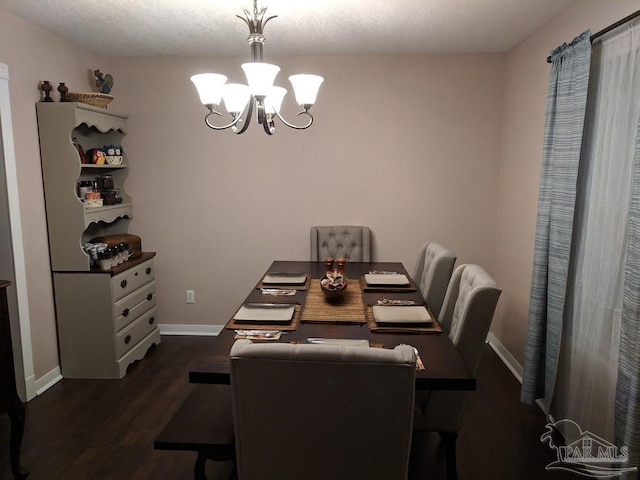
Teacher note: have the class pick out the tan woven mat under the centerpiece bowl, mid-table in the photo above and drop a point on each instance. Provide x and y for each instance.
(348, 309)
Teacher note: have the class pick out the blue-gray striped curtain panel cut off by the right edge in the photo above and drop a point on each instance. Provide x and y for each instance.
(628, 387)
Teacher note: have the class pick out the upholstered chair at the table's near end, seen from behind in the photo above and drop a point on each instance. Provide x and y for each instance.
(319, 412)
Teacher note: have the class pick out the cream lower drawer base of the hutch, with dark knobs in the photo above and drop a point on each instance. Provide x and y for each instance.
(105, 322)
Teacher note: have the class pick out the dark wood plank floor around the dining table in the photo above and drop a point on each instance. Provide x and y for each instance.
(104, 429)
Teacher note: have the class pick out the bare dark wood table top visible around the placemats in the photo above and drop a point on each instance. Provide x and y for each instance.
(444, 368)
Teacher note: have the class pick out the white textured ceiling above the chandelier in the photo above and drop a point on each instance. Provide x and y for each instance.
(303, 27)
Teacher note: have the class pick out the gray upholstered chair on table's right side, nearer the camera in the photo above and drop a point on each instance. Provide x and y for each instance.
(466, 316)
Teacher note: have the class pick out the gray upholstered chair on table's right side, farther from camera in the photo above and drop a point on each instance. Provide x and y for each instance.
(432, 273)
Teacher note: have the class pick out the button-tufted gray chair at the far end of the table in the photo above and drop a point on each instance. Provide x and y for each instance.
(348, 241)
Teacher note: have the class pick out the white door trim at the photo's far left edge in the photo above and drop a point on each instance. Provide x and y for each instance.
(16, 231)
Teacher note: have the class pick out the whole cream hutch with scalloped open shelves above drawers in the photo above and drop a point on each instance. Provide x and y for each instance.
(106, 319)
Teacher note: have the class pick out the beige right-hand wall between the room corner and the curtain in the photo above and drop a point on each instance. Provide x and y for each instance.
(526, 79)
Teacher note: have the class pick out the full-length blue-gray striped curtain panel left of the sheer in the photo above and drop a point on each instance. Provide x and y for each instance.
(566, 104)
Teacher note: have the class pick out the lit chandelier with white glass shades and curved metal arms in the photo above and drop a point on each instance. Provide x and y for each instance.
(260, 93)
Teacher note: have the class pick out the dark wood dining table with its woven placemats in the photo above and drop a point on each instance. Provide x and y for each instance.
(347, 319)
